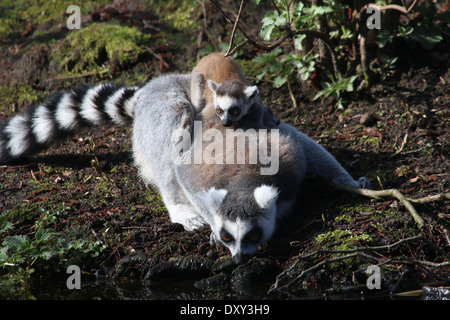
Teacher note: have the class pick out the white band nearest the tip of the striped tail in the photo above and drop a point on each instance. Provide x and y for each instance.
(17, 129)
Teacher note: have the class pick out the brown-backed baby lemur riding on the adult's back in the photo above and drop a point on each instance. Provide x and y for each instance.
(227, 94)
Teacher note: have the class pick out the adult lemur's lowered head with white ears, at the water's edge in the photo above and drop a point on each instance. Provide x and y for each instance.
(239, 224)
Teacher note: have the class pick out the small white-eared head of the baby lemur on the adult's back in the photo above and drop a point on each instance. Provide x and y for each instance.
(232, 100)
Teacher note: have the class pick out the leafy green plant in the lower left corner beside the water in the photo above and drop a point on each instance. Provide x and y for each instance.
(43, 251)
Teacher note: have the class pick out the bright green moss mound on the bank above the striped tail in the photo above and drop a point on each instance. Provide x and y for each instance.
(99, 48)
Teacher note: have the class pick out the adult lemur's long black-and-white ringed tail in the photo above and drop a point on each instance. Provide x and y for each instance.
(63, 115)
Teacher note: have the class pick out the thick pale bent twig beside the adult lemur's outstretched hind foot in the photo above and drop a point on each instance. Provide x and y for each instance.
(392, 193)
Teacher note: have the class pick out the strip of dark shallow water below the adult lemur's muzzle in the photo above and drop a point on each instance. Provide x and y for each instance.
(129, 289)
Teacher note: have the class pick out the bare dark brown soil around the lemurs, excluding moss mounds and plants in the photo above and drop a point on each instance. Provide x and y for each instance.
(92, 180)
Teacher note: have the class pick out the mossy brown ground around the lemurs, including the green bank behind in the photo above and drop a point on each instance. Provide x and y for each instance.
(86, 194)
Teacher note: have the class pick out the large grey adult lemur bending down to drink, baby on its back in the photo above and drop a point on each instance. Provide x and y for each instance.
(239, 204)
